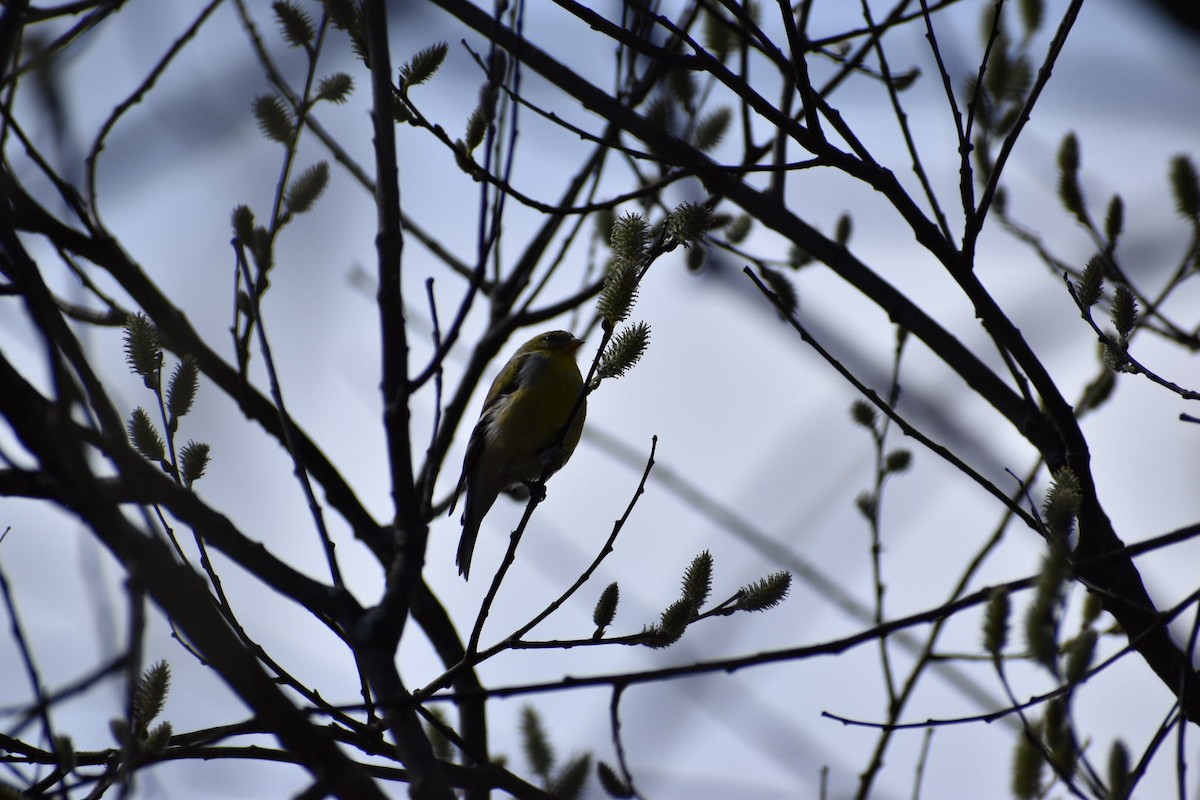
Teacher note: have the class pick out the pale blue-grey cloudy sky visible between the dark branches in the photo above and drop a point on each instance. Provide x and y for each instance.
(785, 459)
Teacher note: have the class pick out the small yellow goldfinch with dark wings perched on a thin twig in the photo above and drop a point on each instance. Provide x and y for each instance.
(520, 431)
